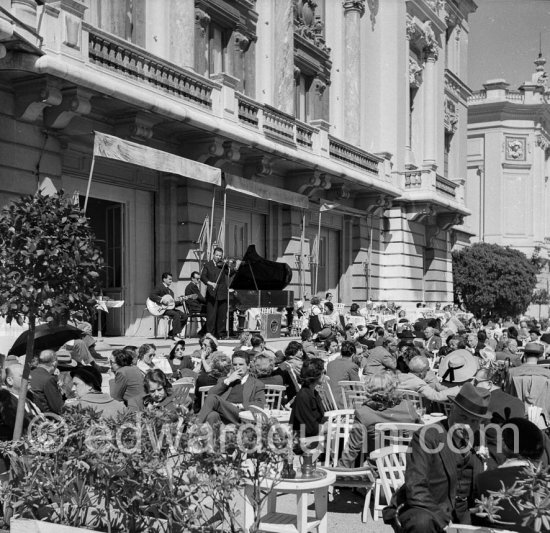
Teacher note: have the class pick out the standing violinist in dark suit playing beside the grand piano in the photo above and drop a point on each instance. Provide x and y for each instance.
(215, 275)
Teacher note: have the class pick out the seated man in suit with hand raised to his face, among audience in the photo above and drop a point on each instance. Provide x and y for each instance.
(233, 394)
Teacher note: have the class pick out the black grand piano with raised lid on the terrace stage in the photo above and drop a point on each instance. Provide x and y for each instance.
(260, 283)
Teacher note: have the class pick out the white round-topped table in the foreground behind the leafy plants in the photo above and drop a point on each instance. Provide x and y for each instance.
(299, 522)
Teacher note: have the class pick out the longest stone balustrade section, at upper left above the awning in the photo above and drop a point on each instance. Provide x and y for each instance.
(121, 56)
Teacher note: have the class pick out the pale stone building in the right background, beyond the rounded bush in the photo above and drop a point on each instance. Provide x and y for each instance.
(509, 163)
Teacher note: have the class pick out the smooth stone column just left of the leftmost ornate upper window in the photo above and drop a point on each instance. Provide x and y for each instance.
(182, 33)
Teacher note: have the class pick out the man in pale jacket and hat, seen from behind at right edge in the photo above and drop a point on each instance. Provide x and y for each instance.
(530, 382)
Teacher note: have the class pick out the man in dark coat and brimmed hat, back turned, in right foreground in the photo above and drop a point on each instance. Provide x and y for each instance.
(441, 468)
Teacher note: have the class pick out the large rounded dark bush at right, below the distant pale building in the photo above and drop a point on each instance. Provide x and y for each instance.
(493, 281)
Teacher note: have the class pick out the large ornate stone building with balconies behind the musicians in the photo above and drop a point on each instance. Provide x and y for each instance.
(357, 105)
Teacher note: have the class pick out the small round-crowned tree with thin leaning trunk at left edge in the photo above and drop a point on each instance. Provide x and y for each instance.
(48, 267)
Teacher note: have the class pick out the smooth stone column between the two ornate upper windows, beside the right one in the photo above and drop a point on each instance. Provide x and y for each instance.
(283, 54)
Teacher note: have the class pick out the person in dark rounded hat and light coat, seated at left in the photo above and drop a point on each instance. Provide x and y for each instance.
(87, 389)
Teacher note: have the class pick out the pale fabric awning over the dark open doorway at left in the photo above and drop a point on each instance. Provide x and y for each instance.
(113, 147)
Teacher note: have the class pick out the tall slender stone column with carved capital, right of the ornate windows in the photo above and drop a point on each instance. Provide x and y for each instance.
(353, 11)
